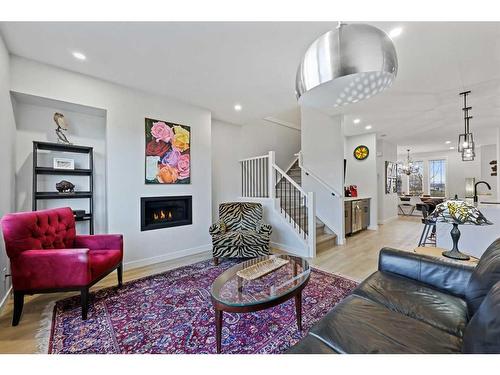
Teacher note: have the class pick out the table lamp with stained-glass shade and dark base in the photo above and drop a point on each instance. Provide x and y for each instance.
(458, 212)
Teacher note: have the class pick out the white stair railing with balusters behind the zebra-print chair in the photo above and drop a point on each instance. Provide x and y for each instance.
(261, 177)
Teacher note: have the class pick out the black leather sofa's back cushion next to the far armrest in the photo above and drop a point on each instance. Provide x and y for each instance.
(485, 275)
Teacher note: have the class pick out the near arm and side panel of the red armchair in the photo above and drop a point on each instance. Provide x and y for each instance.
(51, 268)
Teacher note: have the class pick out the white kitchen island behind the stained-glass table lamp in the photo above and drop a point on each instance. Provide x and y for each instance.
(474, 239)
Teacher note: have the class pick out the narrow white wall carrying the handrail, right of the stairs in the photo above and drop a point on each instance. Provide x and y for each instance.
(322, 142)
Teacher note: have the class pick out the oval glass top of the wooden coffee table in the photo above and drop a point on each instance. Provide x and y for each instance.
(233, 290)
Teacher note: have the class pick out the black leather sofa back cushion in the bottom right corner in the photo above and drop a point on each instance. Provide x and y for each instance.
(482, 334)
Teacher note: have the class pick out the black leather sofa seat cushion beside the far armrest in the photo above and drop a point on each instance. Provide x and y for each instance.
(416, 300)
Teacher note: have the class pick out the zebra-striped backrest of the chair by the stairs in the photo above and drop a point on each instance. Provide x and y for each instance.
(240, 215)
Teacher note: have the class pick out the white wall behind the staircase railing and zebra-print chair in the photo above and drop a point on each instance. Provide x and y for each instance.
(231, 143)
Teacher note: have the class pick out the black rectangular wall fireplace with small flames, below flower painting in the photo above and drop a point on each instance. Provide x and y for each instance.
(165, 212)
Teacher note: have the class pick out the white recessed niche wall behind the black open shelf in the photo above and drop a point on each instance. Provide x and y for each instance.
(87, 127)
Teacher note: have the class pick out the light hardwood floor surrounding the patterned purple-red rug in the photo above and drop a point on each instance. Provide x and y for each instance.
(356, 260)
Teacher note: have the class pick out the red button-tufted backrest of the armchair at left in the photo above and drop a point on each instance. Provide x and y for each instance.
(37, 230)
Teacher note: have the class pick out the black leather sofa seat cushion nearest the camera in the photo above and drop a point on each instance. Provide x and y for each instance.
(359, 325)
